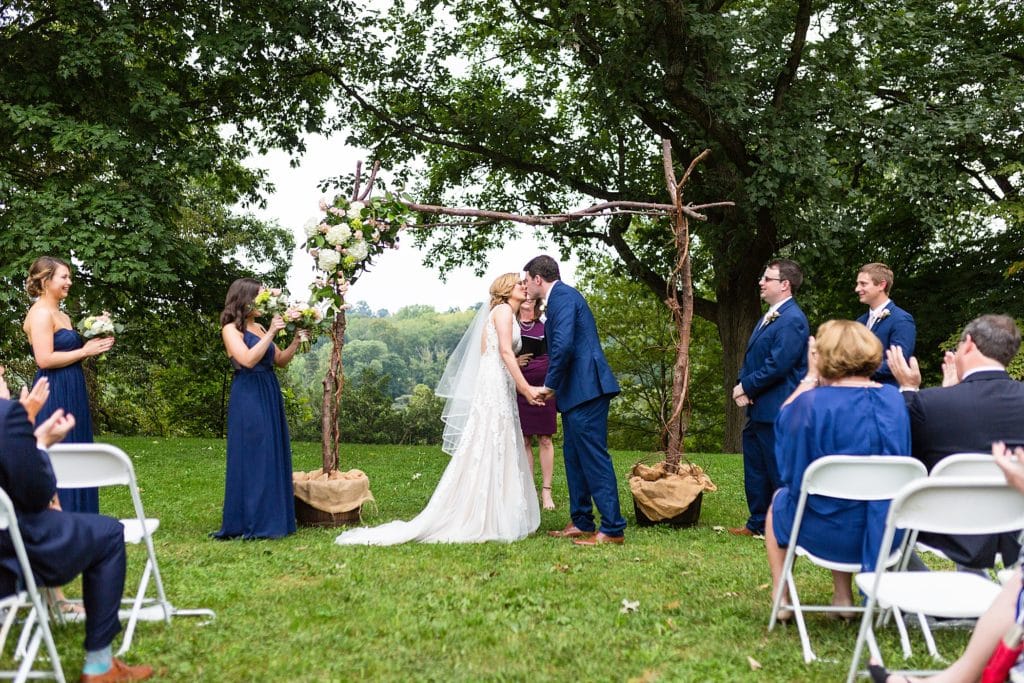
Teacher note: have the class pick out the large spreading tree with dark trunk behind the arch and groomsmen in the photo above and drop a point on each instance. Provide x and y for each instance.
(842, 131)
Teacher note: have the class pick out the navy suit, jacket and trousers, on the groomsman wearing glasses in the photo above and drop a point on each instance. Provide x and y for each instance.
(777, 359)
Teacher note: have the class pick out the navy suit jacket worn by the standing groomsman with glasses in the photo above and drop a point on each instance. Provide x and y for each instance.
(777, 359)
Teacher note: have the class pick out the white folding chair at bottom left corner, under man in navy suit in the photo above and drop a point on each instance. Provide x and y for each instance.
(36, 627)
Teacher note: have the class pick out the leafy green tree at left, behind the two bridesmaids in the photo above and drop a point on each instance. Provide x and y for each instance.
(123, 131)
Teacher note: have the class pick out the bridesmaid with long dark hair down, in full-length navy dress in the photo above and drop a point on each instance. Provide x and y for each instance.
(259, 496)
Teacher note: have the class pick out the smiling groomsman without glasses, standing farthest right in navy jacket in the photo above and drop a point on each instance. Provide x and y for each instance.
(892, 325)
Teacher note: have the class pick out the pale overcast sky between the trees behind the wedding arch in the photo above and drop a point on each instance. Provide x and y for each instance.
(399, 277)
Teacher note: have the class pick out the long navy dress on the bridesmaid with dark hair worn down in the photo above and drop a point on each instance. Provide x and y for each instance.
(259, 495)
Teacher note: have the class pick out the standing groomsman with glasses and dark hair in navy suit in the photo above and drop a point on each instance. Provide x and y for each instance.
(777, 359)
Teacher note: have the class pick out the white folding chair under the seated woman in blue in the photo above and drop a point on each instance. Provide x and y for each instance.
(850, 478)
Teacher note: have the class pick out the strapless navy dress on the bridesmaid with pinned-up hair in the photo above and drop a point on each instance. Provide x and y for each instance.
(68, 392)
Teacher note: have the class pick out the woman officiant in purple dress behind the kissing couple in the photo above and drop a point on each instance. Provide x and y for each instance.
(539, 421)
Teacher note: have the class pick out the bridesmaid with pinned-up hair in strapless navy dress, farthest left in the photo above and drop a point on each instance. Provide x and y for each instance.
(59, 351)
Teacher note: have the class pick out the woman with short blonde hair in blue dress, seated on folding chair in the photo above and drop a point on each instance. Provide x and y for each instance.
(836, 410)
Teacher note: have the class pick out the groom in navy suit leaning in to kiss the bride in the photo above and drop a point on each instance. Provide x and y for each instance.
(580, 376)
